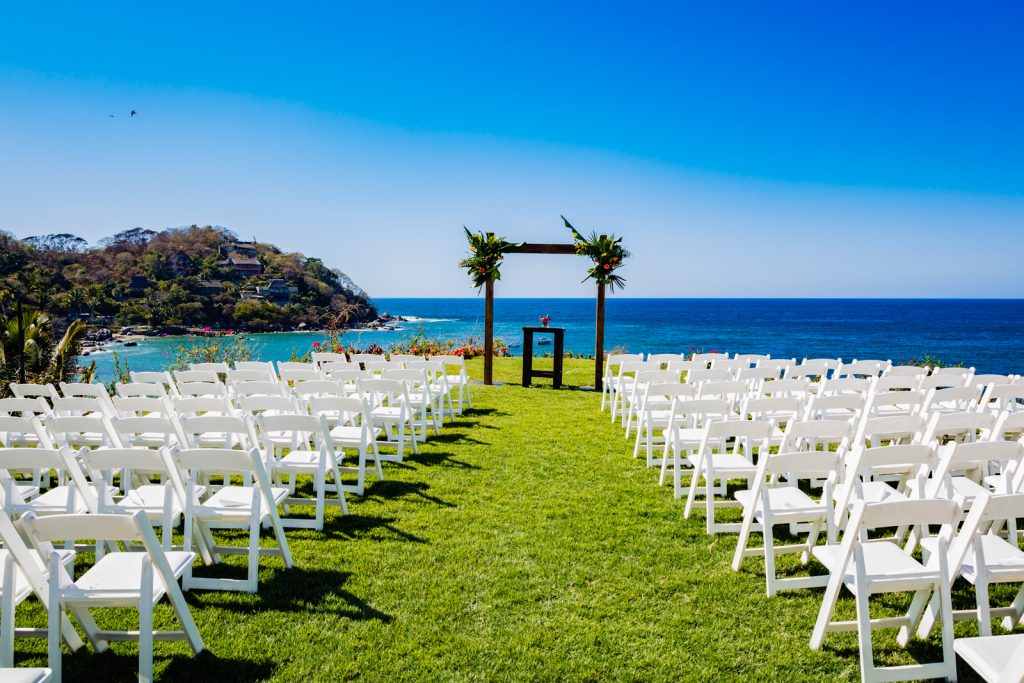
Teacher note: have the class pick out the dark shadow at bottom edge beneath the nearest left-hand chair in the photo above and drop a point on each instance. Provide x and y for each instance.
(89, 666)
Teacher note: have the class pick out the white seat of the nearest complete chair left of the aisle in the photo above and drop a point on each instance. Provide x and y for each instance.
(117, 577)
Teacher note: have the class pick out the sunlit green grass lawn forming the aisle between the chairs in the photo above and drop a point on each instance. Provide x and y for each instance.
(524, 543)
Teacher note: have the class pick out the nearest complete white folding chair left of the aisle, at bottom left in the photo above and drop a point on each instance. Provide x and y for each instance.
(139, 580)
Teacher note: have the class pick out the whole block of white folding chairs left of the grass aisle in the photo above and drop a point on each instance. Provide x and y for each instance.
(124, 472)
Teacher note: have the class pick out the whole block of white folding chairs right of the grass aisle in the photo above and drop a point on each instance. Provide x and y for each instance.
(845, 466)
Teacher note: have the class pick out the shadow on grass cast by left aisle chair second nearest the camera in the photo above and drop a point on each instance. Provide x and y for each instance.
(300, 590)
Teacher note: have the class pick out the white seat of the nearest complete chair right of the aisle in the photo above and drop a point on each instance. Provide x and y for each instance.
(886, 567)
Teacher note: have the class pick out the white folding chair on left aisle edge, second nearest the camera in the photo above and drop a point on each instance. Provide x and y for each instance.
(245, 505)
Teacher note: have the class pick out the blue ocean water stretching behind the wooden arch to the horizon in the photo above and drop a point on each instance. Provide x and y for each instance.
(988, 334)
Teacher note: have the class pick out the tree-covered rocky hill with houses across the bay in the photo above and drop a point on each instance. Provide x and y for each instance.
(188, 277)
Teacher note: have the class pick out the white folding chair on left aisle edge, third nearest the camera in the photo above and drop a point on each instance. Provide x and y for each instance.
(304, 447)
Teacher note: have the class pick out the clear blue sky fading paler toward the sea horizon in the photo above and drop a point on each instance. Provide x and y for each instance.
(796, 149)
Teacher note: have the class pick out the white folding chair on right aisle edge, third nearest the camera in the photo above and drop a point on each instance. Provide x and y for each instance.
(717, 461)
